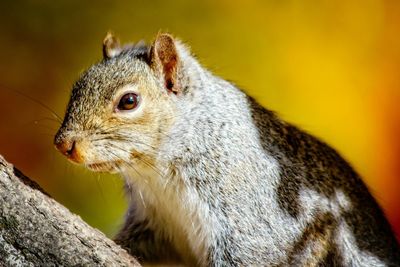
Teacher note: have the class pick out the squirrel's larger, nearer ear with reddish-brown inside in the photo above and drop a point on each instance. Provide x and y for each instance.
(164, 58)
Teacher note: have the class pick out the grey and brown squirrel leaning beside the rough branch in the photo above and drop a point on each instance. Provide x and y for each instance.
(213, 178)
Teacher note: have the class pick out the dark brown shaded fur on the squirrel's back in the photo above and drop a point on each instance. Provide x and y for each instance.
(306, 163)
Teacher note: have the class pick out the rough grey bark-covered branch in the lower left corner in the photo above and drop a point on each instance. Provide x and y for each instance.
(35, 230)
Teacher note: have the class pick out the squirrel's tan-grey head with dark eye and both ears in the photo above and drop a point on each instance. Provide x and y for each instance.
(121, 108)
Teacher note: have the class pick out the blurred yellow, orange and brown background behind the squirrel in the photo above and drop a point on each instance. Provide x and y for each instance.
(330, 67)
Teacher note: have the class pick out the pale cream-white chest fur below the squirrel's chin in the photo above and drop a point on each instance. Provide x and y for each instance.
(173, 210)
